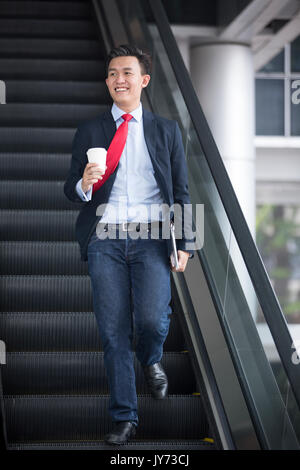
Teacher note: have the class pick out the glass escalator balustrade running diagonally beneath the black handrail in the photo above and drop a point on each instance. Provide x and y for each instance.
(253, 324)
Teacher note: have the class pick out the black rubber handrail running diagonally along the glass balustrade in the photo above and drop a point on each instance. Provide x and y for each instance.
(257, 272)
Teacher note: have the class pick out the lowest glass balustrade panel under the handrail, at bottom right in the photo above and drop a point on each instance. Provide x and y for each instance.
(259, 358)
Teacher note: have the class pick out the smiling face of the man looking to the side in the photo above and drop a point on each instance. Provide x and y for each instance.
(125, 82)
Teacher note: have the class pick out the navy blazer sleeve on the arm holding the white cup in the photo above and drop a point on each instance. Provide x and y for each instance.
(78, 163)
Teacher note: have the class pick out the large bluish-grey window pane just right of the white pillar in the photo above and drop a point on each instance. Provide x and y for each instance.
(269, 96)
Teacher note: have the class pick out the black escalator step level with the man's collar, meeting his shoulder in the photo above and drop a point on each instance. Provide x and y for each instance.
(48, 115)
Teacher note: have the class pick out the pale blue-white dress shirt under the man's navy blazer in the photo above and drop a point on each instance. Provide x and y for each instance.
(135, 195)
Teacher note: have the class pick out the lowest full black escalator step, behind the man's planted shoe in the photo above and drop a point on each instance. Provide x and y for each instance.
(52, 418)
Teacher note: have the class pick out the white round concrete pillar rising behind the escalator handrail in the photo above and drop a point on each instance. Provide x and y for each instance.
(223, 77)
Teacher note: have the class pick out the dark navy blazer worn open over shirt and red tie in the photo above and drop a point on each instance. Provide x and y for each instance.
(164, 142)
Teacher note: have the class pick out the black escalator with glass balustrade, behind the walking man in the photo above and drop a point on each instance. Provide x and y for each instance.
(226, 391)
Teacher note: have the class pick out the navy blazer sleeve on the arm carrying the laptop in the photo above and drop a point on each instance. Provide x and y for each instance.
(181, 191)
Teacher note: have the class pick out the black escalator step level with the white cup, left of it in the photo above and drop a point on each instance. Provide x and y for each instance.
(35, 166)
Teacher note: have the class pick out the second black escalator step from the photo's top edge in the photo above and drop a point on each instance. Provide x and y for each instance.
(47, 28)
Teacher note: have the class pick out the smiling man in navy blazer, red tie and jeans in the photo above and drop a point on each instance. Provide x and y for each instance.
(129, 274)
